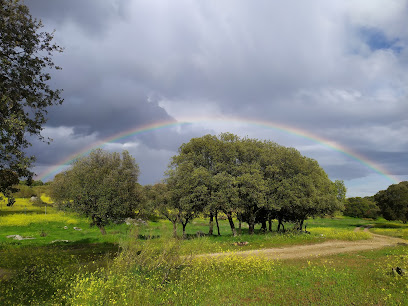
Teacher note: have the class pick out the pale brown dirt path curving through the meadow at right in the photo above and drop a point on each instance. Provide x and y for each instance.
(321, 249)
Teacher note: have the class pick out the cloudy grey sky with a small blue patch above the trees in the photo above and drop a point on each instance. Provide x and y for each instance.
(328, 78)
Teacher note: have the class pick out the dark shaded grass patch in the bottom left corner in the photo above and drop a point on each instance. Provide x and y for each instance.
(32, 275)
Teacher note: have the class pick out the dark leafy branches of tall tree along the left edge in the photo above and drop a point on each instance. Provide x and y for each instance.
(25, 95)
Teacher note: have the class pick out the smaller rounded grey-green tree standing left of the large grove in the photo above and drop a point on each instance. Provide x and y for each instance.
(102, 186)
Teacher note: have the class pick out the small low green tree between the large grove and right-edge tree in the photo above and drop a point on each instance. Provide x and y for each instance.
(361, 208)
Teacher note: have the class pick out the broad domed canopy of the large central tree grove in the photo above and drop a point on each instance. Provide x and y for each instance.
(255, 180)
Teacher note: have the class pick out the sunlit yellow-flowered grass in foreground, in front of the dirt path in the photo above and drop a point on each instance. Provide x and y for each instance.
(165, 277)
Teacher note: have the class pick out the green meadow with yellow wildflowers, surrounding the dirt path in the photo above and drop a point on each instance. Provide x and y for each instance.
(142, 264)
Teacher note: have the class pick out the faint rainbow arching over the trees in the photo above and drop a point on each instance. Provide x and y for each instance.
(51, 171)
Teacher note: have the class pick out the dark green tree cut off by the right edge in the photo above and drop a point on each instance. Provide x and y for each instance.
(393, 202)
